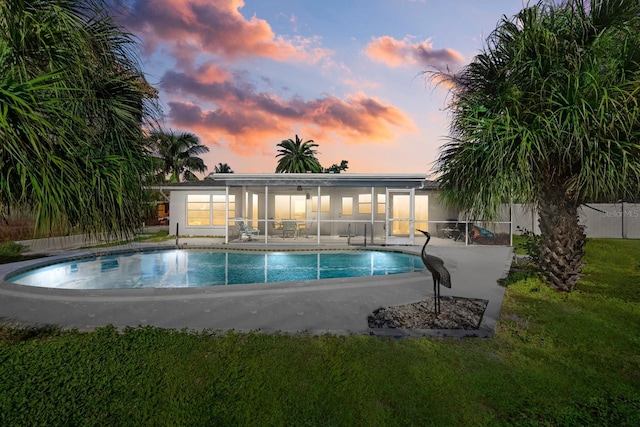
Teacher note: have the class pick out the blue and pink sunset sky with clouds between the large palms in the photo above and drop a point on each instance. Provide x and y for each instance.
(245, 75)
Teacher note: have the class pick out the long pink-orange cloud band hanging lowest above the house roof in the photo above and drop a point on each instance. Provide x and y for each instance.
(248, 120)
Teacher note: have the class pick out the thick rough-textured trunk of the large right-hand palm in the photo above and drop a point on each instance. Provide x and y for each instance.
(562, 242)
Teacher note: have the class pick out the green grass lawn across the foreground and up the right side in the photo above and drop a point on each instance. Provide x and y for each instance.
(557, 359)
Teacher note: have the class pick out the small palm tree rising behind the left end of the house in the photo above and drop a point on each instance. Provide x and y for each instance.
(177, 154)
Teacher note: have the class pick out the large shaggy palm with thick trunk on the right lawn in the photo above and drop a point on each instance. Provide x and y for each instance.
(547, 113)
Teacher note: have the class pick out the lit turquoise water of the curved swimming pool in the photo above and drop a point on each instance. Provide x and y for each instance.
(198, 268)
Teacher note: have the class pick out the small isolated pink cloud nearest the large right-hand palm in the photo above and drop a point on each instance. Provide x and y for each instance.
(400, 53)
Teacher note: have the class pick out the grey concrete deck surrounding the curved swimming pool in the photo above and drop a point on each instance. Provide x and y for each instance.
(331, 306)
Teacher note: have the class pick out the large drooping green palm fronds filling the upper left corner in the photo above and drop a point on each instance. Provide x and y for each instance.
(74, 102)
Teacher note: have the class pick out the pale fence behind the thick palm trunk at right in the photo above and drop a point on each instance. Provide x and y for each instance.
(613, 220)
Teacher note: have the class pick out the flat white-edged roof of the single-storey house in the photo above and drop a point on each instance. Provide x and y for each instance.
(307, 179)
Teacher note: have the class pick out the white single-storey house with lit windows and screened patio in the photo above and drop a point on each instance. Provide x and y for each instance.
(384, 209)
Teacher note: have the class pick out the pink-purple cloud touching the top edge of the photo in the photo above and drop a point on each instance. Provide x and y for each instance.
(215, 27)
